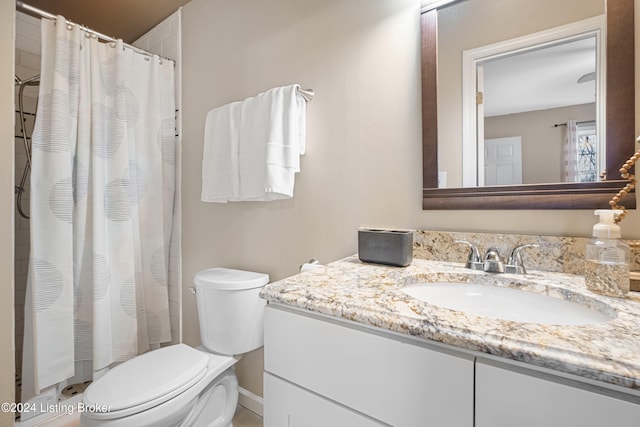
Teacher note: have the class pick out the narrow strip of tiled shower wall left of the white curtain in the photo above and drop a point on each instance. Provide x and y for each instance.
(27, 57)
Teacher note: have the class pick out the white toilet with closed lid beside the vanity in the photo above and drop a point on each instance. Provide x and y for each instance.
(183, 386)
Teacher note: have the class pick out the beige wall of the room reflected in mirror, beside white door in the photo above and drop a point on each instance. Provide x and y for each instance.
(542, 143)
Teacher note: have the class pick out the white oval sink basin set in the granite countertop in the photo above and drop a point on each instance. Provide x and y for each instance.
(505, 303)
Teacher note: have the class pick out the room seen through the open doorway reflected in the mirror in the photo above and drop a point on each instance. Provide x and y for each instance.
(549, 106)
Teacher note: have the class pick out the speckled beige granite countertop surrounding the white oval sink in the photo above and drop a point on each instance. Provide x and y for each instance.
(370, 294)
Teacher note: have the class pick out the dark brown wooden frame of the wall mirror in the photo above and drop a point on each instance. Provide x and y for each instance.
(620, 116)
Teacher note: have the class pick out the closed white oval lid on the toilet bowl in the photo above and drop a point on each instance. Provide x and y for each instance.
(164, 372)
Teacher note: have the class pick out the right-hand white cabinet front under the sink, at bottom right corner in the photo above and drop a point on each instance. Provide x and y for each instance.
(507, 398)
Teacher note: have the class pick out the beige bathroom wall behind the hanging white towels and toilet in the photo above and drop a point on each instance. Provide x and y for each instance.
(363, 164)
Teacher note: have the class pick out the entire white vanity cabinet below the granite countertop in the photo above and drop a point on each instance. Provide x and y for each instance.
(321, 371)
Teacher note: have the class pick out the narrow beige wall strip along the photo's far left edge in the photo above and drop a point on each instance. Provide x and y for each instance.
(7, 381)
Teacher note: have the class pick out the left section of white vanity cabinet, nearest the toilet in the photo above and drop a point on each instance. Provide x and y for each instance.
(320, 372)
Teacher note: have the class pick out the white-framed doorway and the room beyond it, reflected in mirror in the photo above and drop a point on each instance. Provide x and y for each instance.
(520, 93)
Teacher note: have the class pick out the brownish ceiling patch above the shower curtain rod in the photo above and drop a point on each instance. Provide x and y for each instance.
(120, 19)
